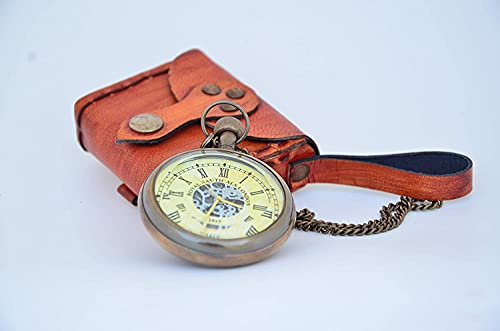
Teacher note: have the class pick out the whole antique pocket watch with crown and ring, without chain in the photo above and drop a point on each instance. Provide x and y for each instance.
(217, 205)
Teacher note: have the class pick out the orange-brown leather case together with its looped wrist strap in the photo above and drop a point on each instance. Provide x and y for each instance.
(174, 92)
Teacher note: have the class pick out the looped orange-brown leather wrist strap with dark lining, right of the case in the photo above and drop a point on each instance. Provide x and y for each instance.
(422, 175)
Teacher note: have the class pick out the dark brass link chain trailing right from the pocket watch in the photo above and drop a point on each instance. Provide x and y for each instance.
(391, 216)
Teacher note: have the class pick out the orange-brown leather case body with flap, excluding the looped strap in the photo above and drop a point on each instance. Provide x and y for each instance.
(173, 91)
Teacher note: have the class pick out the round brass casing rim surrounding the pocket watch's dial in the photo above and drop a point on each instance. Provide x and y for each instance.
(211, 251)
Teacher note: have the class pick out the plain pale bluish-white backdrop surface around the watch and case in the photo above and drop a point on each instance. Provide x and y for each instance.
(360, 77)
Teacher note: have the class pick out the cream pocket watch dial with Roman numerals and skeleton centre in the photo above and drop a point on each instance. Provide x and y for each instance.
(219, 195)
